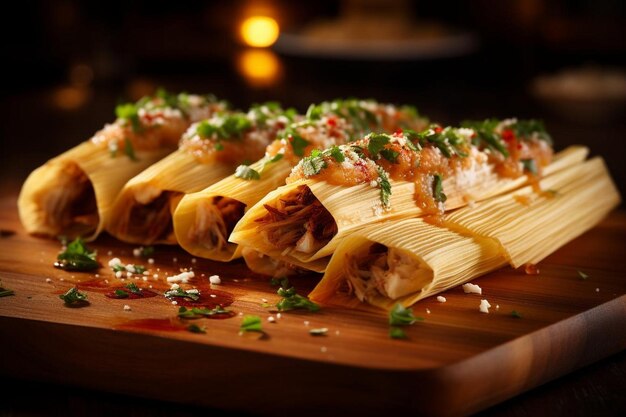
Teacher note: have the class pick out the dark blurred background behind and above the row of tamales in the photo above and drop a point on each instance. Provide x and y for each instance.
(67, 63)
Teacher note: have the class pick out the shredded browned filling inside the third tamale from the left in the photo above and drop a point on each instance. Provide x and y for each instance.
(215, 221)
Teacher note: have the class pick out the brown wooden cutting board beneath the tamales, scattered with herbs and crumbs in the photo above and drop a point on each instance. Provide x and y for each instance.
(455, 362)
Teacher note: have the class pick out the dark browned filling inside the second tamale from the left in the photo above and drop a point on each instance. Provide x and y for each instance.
(152, 221)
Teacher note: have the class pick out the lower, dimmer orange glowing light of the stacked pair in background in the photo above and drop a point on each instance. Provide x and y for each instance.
(260, 67)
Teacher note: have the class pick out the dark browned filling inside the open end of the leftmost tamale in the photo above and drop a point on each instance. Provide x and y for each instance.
(71, 207)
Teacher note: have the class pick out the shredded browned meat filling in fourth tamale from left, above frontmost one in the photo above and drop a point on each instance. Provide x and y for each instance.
(298, 221)
